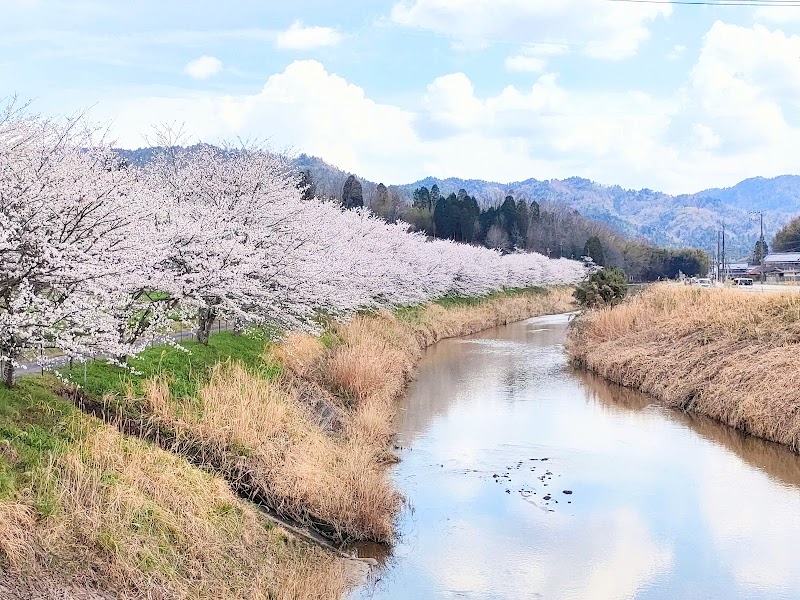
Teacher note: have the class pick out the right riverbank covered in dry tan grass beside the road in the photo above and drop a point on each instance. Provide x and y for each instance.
(725, 354)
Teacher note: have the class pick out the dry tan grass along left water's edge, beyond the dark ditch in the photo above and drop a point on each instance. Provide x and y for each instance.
(273, 438)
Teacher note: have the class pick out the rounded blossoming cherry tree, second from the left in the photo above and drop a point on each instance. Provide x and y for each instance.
(235, 234)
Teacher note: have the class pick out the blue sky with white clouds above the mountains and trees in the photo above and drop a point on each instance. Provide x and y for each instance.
(669, 97)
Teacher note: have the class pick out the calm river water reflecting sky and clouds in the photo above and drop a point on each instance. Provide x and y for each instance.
(496, 429)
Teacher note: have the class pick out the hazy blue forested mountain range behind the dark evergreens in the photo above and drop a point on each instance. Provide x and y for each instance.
(664, 219)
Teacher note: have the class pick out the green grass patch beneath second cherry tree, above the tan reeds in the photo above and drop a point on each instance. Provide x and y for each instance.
(186, 371)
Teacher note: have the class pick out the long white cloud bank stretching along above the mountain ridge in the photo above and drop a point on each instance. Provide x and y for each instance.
(737, 116)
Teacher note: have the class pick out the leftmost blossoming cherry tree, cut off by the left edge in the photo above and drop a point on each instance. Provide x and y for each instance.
(69, 244)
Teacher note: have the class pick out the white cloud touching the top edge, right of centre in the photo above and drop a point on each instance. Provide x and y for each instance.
(601, 29)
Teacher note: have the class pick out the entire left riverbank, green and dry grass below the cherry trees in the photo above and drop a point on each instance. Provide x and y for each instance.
(155, 496)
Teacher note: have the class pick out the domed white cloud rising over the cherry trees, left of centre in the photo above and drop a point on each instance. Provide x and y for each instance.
(304, 108)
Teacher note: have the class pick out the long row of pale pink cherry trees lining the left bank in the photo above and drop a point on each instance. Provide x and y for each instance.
(97, 256)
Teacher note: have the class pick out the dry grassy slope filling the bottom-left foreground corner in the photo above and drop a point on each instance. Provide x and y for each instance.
(135, 521)
